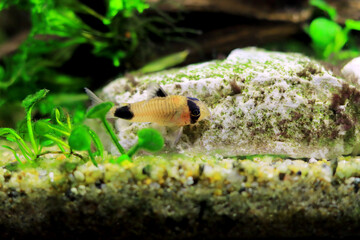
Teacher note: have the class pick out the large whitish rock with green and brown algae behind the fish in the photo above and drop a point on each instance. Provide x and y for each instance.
(261, 102)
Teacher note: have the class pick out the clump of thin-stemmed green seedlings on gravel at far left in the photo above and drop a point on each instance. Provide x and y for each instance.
(45, 133)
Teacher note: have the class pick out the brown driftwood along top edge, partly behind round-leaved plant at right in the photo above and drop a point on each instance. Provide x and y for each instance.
(295, 11)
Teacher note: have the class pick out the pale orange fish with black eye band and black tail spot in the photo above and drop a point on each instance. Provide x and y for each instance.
(163, 109)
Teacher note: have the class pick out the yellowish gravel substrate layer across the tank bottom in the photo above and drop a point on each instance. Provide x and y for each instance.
(208, 196)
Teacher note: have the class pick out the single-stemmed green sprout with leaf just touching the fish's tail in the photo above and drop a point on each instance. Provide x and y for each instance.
(99, 111)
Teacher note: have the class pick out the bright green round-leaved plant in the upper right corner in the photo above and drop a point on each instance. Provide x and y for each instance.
(328, 37)
